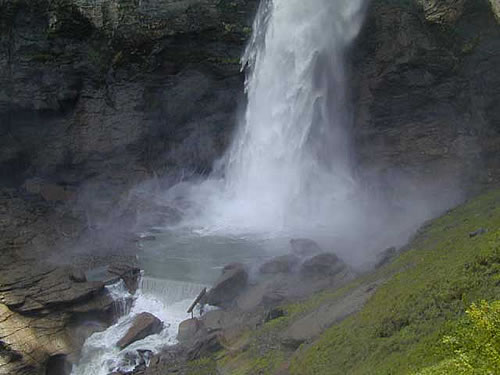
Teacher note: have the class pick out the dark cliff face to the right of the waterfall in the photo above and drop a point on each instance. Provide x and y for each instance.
(427, 78)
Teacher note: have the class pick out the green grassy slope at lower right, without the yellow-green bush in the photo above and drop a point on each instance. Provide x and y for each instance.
(400, 329)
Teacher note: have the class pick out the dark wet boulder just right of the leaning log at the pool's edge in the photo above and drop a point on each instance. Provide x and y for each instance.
(233, 280)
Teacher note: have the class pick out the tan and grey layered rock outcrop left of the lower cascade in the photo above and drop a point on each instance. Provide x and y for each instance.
(41, 308)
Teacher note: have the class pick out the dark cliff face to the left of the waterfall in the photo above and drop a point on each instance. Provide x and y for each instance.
(117, 88)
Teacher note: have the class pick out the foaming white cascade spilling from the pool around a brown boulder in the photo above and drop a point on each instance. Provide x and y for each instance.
(167, 300)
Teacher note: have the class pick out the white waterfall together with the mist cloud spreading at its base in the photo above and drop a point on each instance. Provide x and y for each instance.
(291, 168)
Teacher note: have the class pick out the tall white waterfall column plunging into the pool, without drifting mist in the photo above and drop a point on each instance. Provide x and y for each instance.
(288, 169)
